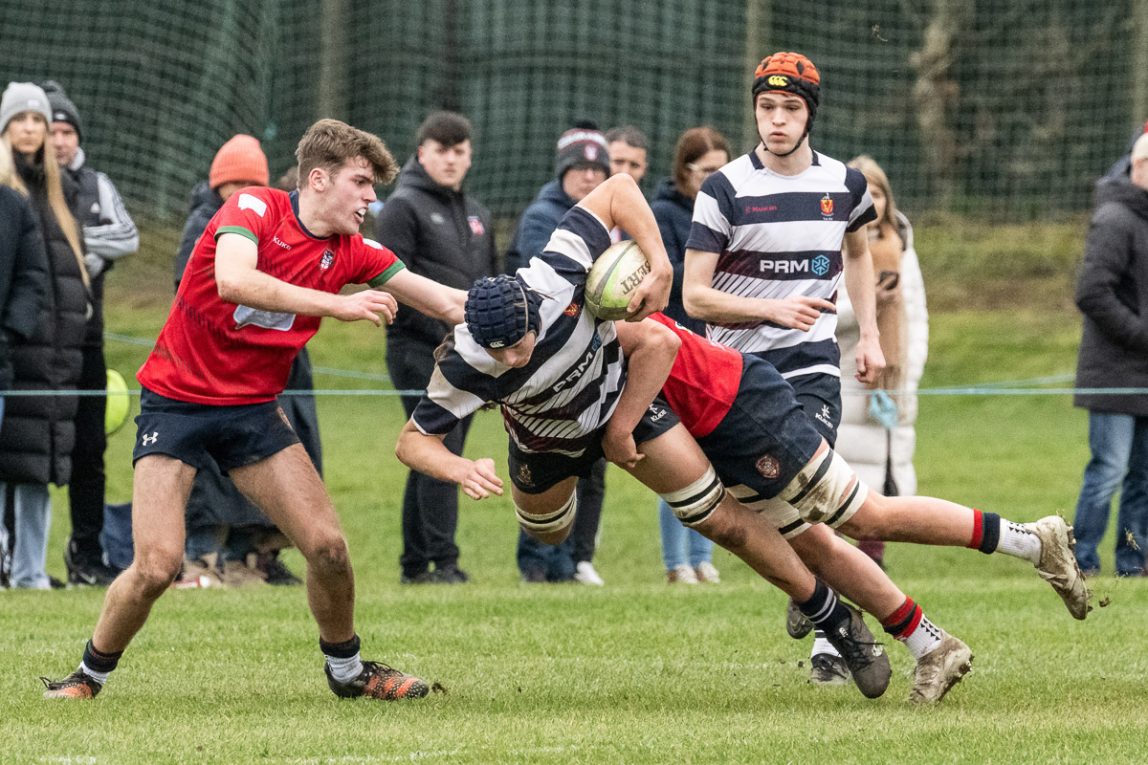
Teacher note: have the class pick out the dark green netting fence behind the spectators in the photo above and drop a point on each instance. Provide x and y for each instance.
(1002, 110)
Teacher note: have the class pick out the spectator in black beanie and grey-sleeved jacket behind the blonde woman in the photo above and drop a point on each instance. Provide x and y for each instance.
(108, 236)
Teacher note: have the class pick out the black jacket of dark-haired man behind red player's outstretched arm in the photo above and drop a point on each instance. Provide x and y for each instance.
(439, 234)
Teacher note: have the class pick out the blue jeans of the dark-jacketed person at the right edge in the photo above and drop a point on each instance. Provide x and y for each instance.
(1120, 459)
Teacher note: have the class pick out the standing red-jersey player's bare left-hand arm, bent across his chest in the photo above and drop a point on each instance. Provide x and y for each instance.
(239, 281)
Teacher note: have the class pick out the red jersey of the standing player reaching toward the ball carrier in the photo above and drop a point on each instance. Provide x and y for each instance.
(218, 353)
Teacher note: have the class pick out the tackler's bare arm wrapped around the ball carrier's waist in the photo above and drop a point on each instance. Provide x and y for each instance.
(650, 350)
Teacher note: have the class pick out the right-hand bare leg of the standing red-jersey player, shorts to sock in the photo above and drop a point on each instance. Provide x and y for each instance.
(290, 491)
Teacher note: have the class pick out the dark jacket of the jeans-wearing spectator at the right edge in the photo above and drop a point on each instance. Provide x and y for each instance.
(1113, 296)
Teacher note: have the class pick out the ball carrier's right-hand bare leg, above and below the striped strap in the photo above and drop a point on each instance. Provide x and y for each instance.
(674, 461)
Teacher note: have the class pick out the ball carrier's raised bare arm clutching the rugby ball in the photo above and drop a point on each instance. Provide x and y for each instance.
(619, 203)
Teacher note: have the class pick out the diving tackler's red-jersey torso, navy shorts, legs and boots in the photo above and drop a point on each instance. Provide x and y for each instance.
(750, 424)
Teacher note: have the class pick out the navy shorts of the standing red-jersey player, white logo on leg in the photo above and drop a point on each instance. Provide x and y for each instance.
(195, 434)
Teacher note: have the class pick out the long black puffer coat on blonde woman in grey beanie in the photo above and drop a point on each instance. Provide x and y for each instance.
(40, 432)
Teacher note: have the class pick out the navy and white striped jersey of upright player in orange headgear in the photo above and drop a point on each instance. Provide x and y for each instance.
(778, 237)
